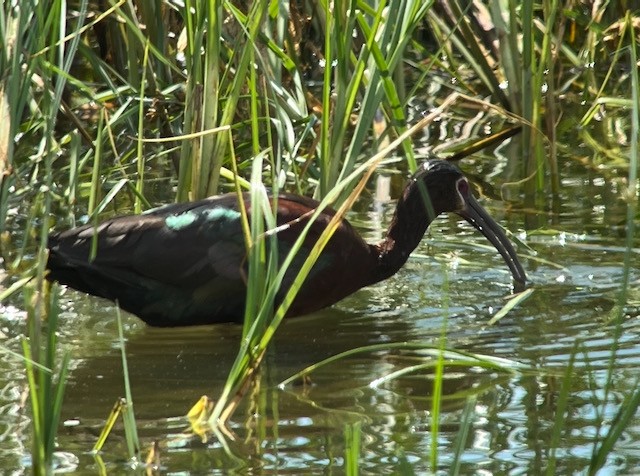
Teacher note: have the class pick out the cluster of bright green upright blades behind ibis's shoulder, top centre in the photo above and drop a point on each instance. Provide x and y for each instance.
(362, 86)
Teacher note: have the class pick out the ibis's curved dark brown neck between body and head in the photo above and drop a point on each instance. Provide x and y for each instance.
(409, 224)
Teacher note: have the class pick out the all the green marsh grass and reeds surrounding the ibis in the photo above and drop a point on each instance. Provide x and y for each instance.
(117, 106)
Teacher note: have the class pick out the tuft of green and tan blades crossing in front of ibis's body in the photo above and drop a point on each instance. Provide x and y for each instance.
(259, 328)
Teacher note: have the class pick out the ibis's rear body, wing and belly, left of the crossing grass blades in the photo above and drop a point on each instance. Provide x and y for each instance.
(177, 265)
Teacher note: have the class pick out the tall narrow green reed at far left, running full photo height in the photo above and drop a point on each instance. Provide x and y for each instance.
(47, 390)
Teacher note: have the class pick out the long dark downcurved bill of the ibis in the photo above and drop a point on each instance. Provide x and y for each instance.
(482, 221)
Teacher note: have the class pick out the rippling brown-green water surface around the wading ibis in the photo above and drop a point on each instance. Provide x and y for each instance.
(452, 282)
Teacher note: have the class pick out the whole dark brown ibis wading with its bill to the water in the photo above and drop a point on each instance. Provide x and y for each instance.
(184, 264)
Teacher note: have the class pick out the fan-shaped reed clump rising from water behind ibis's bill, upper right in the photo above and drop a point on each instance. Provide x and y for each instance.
(524, 75)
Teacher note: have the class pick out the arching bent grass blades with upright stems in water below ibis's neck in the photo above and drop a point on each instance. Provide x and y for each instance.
(415, 360)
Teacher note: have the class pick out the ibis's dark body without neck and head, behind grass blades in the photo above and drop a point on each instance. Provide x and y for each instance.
(185, 264)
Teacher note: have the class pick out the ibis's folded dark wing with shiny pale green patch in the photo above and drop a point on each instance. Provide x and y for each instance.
(179, 245)
